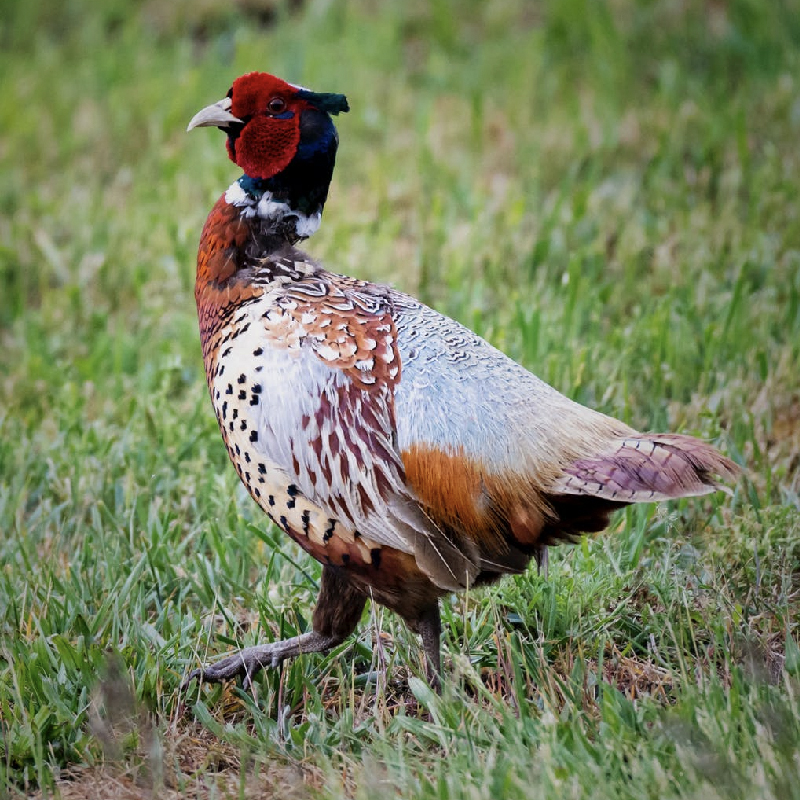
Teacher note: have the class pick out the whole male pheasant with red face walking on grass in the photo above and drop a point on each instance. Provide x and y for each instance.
(399, 449)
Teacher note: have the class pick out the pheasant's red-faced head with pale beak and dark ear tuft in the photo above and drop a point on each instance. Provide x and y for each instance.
(271, 123)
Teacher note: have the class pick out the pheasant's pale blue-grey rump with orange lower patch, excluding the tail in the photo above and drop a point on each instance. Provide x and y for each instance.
(480, 432)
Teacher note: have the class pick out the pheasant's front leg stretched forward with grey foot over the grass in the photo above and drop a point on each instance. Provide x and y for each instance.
(336, 615)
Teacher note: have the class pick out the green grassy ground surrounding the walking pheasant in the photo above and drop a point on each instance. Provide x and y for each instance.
(607, 191)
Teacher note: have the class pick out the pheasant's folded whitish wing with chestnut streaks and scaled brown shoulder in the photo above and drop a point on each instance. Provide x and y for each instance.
(329, 369)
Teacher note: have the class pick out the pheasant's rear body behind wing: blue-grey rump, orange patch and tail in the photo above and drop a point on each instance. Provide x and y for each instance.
(493, 450)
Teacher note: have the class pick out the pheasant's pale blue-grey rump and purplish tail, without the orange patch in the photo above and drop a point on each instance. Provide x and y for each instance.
(460, 392)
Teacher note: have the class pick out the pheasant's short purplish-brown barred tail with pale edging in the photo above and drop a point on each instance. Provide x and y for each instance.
(649, 467)
